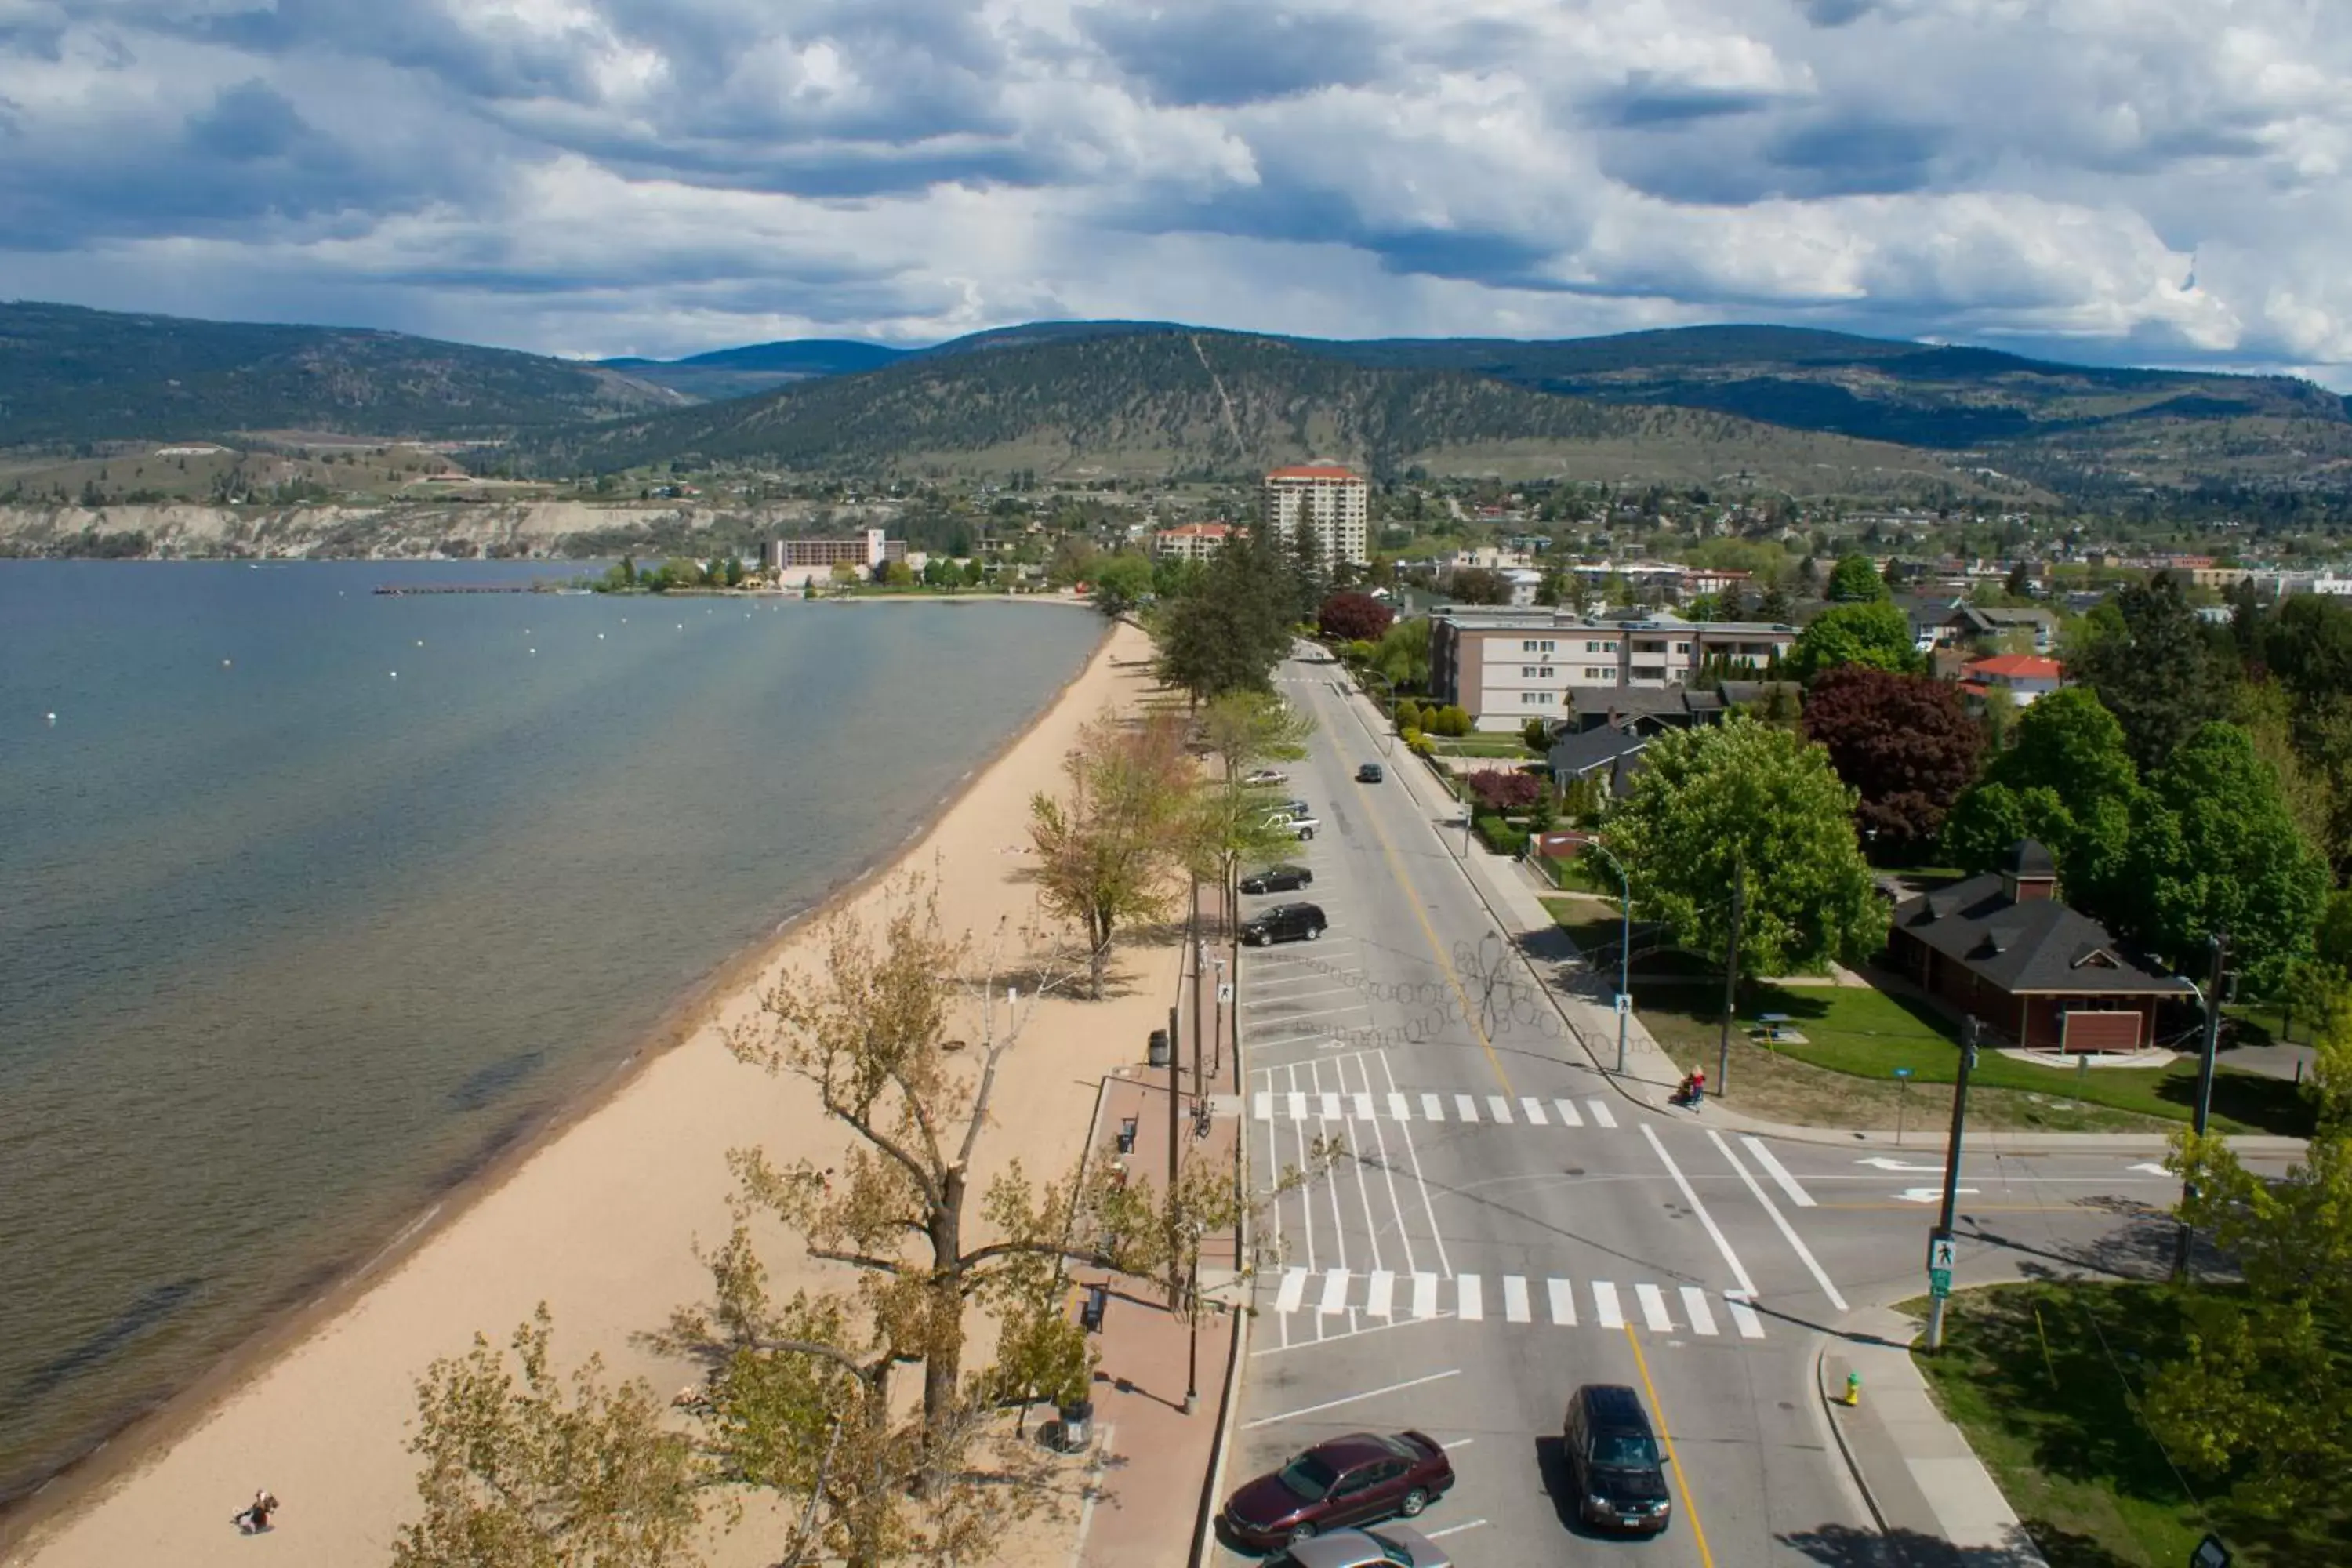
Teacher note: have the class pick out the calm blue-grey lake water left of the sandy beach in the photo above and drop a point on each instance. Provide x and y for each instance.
(314, 899)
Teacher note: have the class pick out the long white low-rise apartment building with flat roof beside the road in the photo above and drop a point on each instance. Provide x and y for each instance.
(1509, 666)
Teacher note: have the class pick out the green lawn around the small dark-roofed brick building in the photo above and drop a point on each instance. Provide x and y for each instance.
(1857, 1038)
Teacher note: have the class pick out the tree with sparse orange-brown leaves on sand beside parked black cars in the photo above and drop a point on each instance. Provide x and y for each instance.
(1107, 855)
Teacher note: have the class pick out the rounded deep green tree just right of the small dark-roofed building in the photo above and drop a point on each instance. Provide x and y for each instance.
(2217, 850)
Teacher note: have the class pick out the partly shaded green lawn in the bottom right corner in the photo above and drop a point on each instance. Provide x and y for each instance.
(2047, 1381)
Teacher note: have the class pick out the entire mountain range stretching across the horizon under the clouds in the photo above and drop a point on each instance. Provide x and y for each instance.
(1812, 413)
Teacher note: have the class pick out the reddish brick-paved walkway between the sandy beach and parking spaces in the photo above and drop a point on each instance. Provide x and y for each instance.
(1154, 1461)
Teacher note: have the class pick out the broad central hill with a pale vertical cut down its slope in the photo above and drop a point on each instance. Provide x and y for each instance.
(1172, 403)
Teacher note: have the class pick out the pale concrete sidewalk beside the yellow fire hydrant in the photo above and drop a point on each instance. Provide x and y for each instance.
(1932, 1499)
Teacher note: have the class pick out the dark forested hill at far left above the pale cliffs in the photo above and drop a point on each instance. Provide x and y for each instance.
(76, 377)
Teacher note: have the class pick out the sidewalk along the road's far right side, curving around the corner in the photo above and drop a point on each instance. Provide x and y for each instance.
(1514, 897)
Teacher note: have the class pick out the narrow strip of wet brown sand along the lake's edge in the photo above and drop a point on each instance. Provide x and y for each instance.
(95, 1477)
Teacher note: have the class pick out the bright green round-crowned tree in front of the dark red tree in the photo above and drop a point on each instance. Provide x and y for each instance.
(1758, 803)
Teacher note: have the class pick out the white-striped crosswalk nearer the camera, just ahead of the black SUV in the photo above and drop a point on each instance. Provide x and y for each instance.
(1389, 1296)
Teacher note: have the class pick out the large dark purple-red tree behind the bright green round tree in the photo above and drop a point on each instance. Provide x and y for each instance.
(1904, 744)
